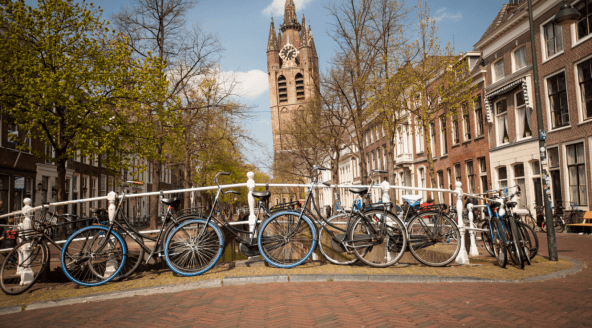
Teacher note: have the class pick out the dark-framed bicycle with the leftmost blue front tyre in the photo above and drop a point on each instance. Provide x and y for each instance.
(97, 254)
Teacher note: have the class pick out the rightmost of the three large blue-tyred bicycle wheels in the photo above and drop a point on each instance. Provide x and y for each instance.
(286, 241)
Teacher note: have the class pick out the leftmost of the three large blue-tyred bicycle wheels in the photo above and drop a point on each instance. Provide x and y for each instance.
(90, 257)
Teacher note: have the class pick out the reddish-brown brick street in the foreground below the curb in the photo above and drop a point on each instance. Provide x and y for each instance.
(565, 302)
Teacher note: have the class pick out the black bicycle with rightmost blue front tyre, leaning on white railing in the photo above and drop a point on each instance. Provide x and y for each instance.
(288, 238)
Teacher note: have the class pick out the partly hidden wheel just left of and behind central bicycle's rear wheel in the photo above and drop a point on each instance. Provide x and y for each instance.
(330, 237)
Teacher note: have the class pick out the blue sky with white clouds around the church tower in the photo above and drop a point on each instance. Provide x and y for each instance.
(243, 29)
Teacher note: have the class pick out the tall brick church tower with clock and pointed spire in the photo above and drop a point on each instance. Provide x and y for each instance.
(292, 66)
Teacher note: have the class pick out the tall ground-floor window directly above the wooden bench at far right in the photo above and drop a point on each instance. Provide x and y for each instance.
(576, 167)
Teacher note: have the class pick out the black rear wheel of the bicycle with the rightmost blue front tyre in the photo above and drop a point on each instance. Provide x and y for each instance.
(378, 239)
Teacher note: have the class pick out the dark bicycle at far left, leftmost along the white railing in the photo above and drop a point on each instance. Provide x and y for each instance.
(31, 257)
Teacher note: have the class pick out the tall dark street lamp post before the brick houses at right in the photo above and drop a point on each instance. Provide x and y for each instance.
(567, 15)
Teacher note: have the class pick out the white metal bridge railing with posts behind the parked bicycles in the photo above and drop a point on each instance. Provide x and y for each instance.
(385, 187)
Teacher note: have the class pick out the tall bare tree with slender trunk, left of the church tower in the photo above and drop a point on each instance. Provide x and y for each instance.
(159, 26)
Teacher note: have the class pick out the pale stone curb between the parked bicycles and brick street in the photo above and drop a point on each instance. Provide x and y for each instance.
(237, 281)
